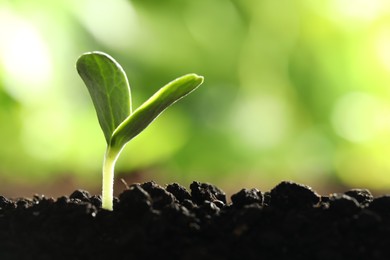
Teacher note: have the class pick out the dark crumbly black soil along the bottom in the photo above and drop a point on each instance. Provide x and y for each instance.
(152, 222)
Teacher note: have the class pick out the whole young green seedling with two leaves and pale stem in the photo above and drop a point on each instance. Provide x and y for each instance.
(110, 92)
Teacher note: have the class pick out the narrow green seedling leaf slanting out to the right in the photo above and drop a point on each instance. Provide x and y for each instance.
(153, 107)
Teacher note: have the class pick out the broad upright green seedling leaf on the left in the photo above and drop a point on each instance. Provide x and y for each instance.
(109, 89)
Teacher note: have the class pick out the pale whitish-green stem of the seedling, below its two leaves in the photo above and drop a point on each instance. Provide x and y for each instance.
(108, 177)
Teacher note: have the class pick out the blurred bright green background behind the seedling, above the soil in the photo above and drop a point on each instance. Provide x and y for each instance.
(294, 90)
